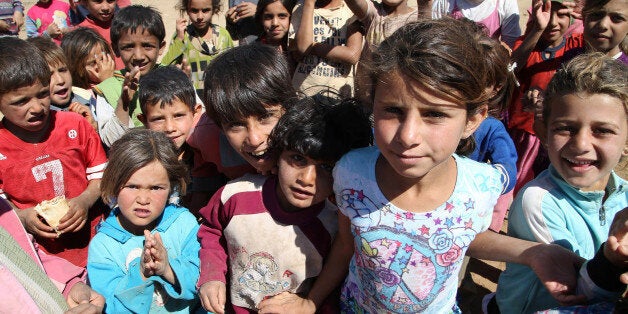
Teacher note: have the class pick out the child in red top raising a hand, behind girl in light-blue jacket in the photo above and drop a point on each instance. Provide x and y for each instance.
(537, 55)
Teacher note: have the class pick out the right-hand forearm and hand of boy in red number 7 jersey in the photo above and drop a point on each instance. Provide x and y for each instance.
(76, 217)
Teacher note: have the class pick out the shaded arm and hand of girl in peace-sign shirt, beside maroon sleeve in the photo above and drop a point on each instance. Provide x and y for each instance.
(333, 273)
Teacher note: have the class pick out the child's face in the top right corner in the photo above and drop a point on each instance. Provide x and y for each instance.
(606, 28)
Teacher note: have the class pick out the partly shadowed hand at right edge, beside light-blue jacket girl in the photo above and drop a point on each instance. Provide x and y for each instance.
(616, 247)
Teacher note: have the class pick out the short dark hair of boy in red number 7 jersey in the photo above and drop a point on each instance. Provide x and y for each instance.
(21, 64)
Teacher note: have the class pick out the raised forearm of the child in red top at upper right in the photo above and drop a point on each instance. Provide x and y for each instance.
(541, 14)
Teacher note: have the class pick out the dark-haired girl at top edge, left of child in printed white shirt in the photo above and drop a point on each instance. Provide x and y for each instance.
(274, 17)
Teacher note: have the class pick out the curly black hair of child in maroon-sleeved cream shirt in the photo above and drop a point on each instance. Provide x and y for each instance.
(322, 130)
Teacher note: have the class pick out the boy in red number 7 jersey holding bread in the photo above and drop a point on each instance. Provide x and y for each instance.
(46, 154)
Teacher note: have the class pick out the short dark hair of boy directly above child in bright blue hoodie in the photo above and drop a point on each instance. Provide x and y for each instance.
(165, 84)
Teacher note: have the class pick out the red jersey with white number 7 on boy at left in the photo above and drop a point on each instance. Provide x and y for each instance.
(62, 164)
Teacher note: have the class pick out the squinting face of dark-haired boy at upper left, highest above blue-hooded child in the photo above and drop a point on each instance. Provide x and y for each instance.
(139, 49)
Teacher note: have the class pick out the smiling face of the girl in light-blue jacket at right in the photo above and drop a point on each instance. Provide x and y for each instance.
(586, 137)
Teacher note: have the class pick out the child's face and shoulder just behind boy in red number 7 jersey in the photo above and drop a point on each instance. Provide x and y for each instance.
(62, 96)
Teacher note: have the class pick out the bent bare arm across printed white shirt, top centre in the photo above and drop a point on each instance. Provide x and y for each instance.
(348, 54)
